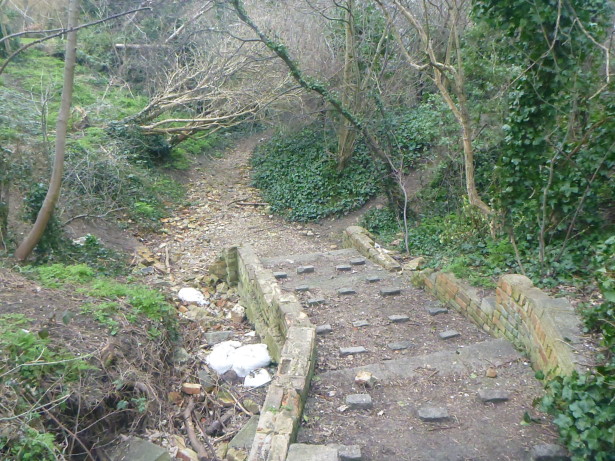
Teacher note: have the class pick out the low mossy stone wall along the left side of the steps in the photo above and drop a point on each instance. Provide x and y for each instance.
(291, 339)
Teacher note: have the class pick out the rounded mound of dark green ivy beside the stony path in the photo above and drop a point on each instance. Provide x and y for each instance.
(299, 178)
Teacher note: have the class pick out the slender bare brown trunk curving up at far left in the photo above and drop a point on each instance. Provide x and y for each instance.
(55, 184)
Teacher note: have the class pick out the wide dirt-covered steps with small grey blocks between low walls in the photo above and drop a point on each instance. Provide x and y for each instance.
(430, 364)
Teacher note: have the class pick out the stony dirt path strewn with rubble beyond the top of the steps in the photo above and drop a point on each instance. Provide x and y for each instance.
(221, 214)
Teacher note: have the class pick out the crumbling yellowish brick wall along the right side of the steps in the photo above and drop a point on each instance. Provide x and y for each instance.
(545, 328)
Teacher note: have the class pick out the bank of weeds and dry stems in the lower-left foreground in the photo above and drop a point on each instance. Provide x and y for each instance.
(60, 377)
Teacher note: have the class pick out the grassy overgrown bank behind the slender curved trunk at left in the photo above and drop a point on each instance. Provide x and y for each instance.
(111, 168)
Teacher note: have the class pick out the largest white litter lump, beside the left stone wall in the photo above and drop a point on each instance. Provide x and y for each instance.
(242, 359)
